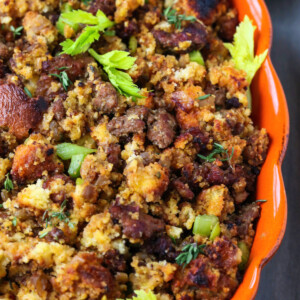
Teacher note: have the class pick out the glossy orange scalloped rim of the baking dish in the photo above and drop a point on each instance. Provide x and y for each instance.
(269, 111)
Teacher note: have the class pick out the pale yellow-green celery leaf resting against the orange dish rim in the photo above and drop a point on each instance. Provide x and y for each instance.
(242, 49)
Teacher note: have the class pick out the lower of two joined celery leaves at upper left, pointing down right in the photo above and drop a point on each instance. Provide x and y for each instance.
(114, 60)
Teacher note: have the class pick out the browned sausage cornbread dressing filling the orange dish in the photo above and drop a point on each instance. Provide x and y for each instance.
(124, 173)
